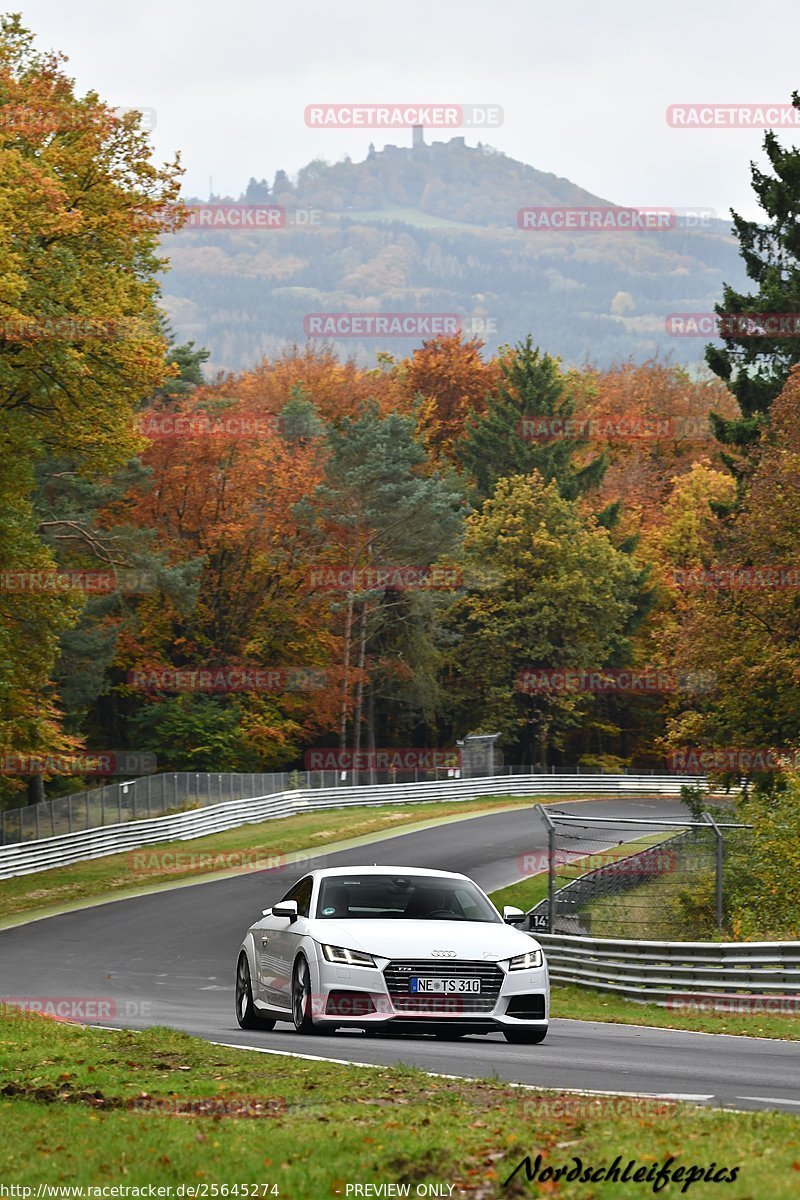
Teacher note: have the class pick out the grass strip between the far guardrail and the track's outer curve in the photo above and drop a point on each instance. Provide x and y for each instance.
(243, 849)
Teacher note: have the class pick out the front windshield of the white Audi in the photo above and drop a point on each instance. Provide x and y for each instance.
(402, 897)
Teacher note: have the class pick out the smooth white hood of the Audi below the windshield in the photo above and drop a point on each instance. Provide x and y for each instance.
(420, 939)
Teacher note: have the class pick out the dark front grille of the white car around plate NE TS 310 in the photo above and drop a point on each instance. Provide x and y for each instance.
(399, 975)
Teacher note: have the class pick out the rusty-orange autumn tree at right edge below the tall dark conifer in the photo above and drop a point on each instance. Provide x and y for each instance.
(747, 634)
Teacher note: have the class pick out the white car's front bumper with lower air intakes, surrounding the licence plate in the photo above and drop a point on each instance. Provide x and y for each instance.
(347, 995)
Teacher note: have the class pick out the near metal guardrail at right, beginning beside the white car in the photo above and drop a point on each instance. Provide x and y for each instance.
(729, 976)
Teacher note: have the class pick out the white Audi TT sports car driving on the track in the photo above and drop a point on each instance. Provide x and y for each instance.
(396, 949)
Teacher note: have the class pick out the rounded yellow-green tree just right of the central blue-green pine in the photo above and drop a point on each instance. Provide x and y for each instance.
(566, 597)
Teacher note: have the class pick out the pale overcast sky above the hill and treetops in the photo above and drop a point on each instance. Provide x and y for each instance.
(585, 86)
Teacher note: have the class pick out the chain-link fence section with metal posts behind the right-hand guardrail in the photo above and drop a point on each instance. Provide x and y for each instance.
(661, 881)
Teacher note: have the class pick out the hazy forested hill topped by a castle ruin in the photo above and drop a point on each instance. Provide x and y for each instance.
(435, 230)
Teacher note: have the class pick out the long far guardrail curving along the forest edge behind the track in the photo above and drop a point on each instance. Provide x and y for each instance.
(26, 859)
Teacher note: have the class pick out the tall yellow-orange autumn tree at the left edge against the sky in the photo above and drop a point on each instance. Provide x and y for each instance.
(80, 335)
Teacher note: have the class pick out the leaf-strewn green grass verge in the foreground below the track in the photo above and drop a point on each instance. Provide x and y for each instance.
(92, 1107)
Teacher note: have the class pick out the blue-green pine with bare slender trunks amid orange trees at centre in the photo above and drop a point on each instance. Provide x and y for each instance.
(387, 508)
